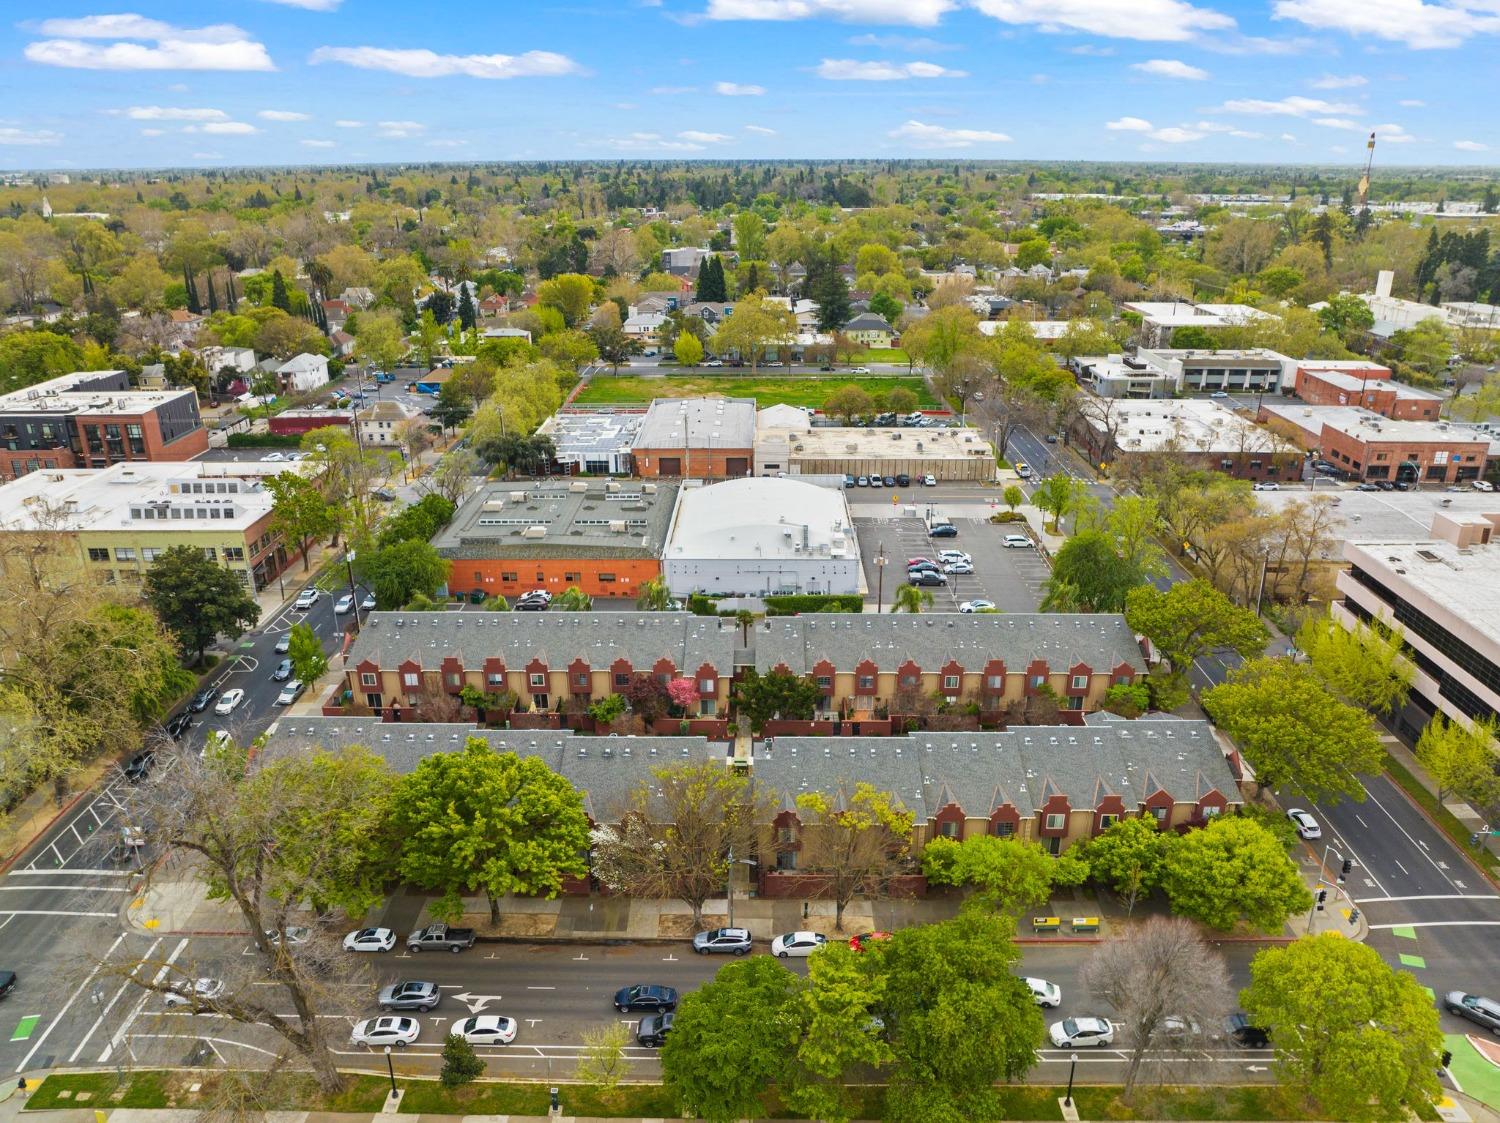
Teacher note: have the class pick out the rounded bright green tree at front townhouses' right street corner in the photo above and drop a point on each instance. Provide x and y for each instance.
(1234, 870)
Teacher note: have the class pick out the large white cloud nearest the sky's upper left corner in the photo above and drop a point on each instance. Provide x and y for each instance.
(218, 47)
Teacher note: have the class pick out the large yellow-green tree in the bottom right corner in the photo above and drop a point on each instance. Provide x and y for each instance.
(1357, 1037)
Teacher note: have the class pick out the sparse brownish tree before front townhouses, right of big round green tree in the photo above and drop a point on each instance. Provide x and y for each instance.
(677, 833)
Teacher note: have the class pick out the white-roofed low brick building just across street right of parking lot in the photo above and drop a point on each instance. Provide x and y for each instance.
(1198, 433)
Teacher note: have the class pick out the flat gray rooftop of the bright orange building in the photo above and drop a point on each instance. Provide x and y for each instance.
(563, 520)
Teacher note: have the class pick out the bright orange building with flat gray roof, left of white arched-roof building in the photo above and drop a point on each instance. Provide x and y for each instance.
(602, 536)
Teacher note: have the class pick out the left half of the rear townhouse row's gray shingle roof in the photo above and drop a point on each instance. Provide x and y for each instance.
(557, 638)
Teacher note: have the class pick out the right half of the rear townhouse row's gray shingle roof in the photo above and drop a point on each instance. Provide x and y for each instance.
(1102, 641)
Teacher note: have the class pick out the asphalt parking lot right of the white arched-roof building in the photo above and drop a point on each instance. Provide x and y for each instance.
(1012, 578)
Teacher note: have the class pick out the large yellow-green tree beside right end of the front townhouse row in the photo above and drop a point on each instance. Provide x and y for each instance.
(1294, 732)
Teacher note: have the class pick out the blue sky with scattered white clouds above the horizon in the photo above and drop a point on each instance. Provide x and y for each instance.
(311, 82)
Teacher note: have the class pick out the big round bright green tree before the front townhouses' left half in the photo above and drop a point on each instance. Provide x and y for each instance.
(490, 822)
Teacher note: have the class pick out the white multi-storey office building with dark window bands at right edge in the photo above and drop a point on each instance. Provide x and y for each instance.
(1444, 593)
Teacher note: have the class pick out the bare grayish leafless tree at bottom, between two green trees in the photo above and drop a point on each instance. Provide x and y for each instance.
(1169, 990)
